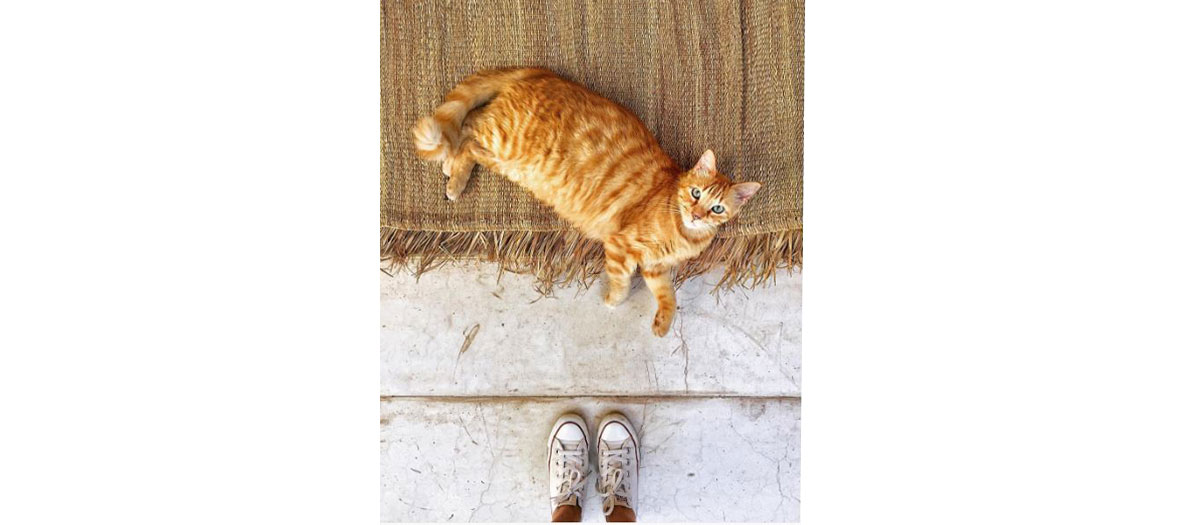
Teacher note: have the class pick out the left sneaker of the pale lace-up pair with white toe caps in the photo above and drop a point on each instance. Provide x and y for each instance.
(569, 462)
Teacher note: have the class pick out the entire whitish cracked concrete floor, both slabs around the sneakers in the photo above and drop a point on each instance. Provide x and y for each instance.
(475, 372)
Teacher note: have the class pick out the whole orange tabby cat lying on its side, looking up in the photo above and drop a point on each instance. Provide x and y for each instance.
(594, 163)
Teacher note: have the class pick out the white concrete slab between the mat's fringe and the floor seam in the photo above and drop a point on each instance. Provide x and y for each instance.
(569, 344)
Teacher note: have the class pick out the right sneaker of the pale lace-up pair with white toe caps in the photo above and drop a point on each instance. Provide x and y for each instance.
(619, 463)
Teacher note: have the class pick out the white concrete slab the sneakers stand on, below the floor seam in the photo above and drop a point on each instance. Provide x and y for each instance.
(484, 461)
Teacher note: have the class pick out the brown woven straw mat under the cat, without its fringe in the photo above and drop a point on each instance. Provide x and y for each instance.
(726, 76)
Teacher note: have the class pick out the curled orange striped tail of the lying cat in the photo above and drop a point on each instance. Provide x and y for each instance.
(437, 137)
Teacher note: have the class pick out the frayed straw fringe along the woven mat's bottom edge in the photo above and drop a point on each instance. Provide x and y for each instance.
(560, 259)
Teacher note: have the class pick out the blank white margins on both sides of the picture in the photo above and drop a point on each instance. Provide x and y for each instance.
(189, 213)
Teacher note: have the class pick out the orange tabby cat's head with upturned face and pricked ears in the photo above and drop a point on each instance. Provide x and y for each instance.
(707, 199)
